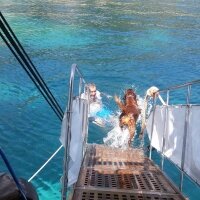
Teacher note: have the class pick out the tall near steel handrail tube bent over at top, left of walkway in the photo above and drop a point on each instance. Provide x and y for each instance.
(74, 69)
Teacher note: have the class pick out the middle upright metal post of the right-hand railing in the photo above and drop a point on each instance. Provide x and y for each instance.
(165, 129)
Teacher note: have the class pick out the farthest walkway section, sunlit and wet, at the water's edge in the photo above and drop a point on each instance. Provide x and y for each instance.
(117, 159)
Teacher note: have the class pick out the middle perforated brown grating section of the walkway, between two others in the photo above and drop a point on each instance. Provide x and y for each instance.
(124, 179)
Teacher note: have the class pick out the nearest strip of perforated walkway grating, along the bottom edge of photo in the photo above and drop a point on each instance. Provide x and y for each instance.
(97, 195)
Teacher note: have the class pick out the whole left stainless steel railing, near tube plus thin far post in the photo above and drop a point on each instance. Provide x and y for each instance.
(74, 70)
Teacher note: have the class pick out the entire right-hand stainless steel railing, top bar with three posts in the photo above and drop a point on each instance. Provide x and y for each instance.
(188, 104)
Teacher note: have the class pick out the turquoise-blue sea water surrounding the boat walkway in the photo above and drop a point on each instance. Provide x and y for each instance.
(117, 44)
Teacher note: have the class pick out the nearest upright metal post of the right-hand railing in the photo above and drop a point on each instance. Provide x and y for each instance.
(187, 113)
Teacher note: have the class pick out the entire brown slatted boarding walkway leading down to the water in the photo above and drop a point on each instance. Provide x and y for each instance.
(116, 174)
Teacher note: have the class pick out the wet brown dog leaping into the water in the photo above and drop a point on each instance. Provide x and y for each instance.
(130, 112)
